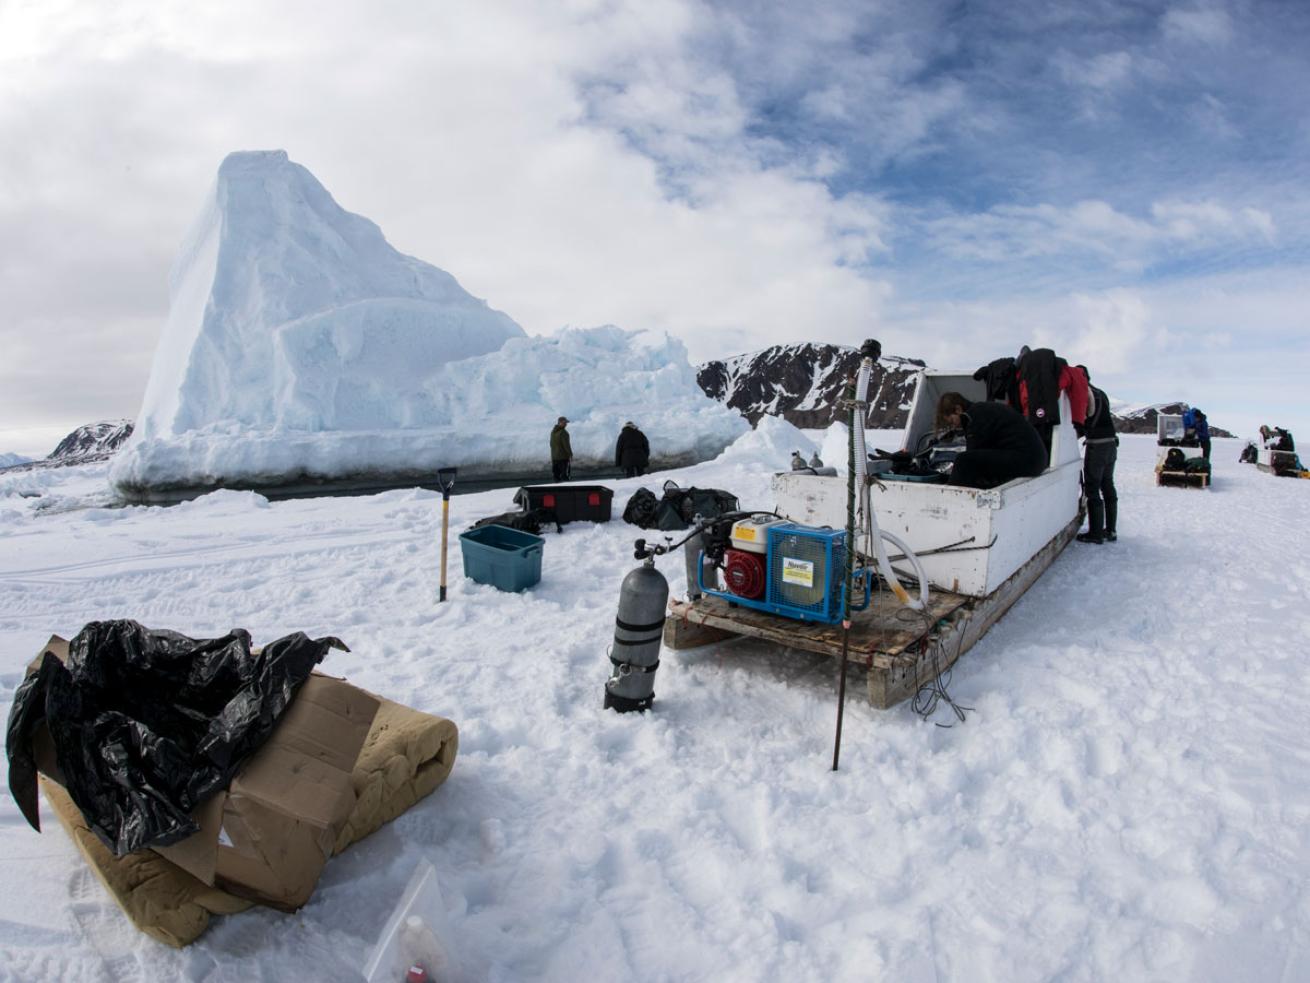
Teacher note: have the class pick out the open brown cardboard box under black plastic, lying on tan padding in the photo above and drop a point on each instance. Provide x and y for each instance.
(268, 837)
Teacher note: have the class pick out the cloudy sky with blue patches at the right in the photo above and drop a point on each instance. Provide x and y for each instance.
(1127, 183)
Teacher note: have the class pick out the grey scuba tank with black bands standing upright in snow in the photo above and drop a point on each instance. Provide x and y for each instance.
(639, 631)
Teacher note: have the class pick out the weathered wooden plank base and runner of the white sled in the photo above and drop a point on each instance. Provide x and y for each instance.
(902, 649)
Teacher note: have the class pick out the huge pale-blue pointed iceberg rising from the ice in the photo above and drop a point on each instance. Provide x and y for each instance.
(302, 345)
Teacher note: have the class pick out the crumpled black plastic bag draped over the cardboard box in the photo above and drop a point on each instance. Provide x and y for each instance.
(147, 724)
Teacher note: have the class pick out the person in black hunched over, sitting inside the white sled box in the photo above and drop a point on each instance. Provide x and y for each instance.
(1000, 444)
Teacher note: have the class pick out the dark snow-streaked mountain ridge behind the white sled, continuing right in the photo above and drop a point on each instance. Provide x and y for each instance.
(805, 383)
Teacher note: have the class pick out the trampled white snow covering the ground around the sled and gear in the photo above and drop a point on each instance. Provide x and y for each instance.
(1130, 799)
